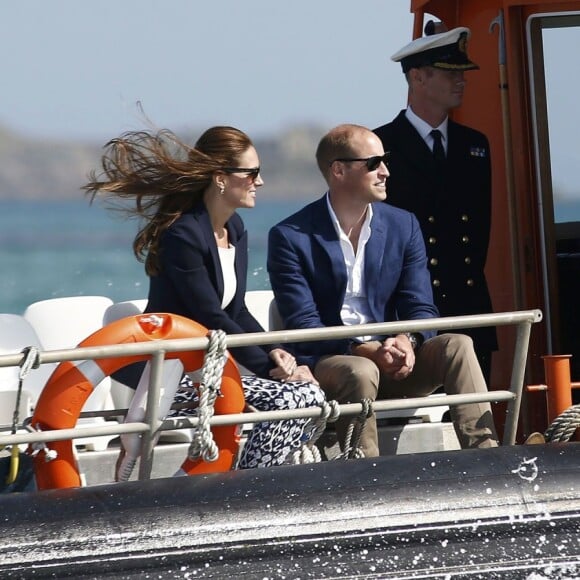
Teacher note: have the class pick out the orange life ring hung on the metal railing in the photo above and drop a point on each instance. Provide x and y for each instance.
(70, 385)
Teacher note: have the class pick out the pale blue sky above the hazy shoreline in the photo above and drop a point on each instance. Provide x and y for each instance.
(78, 68)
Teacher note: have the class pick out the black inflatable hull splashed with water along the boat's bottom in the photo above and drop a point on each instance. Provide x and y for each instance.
(498, 513)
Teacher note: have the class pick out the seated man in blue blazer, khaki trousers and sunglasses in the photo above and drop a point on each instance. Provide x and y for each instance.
(348, 258)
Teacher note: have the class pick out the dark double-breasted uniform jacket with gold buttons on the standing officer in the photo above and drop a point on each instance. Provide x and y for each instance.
(453, 206)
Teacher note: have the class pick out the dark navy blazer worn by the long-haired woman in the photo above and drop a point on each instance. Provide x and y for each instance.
(191, 284)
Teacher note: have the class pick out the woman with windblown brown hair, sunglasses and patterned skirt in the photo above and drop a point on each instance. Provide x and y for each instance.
(194, 246)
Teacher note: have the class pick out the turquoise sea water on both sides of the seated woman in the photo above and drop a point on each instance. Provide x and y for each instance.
(50, 249)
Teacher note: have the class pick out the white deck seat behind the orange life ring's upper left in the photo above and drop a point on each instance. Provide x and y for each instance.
(63, 323)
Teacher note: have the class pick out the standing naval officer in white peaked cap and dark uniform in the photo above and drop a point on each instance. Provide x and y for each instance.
(440, 170)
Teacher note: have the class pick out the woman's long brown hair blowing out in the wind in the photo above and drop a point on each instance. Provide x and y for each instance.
(163, 176)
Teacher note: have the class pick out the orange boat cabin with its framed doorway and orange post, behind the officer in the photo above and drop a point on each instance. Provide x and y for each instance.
(534, 257)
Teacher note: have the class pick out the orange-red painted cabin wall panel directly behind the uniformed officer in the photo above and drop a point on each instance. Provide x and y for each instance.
(515, 280)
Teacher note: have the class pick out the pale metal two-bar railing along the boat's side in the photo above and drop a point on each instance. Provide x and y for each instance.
(158, 349)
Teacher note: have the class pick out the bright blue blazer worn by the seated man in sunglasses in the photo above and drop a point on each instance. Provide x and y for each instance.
(309, 278)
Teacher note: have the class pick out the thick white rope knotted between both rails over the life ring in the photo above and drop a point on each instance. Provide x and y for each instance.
(202, 444)
